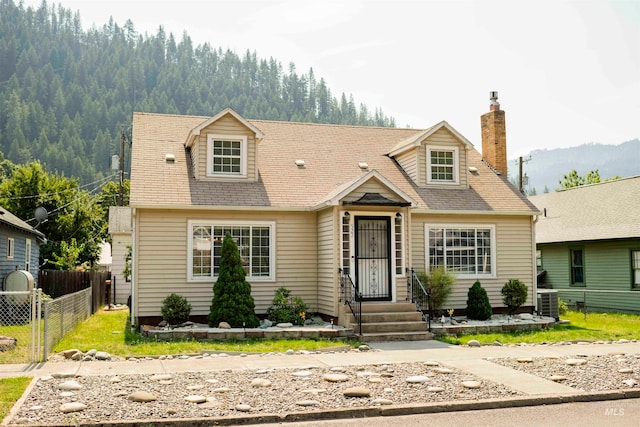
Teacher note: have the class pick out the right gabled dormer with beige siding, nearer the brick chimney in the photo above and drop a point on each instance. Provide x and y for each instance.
(436, 157)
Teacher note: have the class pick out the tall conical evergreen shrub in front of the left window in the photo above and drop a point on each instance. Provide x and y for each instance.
(232, 301)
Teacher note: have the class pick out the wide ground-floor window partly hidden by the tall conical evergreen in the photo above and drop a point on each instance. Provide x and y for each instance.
(255, 241)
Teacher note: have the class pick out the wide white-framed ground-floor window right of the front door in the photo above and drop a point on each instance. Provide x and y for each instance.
(467, 251)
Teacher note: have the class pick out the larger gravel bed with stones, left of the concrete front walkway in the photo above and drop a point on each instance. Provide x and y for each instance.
(233, 393)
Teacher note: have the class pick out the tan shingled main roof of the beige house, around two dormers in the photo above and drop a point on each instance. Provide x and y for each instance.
(331, 154)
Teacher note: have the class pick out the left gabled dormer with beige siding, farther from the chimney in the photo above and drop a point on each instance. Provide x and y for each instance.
(224, 148)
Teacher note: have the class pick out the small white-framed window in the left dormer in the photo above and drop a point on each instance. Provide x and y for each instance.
(227, 156)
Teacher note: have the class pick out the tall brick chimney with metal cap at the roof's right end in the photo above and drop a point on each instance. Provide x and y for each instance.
(494, 136)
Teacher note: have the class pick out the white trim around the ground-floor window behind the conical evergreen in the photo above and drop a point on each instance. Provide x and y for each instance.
(272, 248)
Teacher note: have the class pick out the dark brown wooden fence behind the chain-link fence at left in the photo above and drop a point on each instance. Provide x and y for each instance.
(56, 283)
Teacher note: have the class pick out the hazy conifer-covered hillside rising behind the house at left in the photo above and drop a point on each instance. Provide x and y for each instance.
(66, 92)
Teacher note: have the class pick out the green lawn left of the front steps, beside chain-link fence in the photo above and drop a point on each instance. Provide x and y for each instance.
(108, 331)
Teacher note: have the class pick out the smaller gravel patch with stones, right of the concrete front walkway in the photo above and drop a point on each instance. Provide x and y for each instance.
(586, 373)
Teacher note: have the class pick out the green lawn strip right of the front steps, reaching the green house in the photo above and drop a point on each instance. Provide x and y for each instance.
(596, 327)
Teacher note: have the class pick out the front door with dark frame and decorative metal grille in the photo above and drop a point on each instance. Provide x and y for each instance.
(373, 258)
